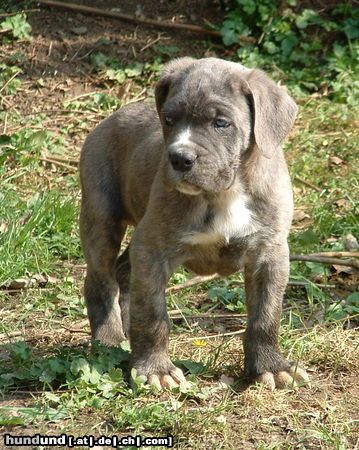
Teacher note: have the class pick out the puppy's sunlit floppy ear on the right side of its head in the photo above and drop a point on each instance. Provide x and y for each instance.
(274, 112)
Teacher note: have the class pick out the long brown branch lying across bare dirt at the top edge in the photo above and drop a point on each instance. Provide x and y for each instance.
(138, 20)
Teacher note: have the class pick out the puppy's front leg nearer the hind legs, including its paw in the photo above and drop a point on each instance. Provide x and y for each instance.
(149, 323)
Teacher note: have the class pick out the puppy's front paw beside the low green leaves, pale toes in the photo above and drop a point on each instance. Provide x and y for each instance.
(161, 374)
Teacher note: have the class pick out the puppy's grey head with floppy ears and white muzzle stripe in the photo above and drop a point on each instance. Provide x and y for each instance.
(211, 110)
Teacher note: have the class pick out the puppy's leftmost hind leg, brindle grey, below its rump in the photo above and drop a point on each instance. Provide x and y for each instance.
(101, 239)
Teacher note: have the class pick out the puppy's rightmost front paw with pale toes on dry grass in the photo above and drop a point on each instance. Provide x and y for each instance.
(294, 377)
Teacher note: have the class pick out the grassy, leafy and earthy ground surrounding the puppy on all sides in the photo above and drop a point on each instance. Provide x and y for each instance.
(61, 72)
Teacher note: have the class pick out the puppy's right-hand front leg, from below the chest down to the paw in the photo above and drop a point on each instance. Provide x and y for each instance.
(266, 276)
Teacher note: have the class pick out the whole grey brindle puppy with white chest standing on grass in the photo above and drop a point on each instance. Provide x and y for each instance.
(204, 181)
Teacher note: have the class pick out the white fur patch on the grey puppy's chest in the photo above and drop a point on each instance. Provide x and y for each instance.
(231, 219)
